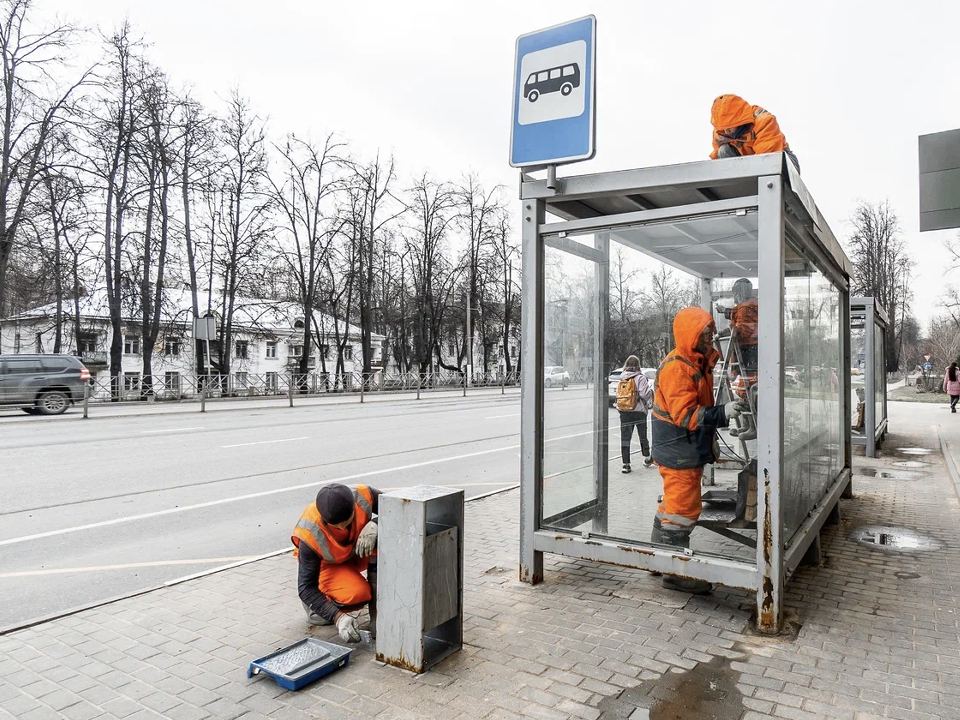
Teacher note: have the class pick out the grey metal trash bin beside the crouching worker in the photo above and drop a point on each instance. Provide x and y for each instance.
(420, 576)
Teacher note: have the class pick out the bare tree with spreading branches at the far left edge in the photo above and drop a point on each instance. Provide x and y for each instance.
(33, 108)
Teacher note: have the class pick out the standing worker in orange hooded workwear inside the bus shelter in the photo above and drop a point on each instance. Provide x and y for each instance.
(684, 428)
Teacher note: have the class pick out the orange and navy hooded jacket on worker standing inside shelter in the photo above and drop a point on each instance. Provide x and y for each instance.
(684, 417)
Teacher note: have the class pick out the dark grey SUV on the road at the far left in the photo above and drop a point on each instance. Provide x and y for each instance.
(42, 384)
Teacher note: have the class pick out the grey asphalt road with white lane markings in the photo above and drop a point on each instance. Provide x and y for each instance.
(92, 509)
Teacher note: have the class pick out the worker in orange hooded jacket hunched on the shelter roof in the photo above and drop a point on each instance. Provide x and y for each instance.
(740, 128)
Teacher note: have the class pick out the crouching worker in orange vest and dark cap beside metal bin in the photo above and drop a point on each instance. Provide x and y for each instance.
(336, 541)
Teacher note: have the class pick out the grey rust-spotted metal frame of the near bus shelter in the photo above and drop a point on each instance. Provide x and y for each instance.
(602, 203)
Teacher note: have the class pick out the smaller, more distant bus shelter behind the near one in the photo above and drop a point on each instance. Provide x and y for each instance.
(868, 337)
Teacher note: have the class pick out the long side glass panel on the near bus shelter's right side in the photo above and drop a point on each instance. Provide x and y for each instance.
(813, 429)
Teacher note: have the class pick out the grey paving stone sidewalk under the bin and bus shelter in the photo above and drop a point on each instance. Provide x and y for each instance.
(879, 635)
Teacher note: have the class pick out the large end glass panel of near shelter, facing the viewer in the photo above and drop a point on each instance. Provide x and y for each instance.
(625, 307)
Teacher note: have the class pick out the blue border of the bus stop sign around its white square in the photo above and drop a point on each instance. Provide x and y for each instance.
(556, 141)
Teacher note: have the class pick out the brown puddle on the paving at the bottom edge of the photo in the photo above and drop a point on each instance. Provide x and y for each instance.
(708, 692)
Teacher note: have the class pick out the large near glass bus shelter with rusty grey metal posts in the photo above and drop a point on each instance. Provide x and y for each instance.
(699, 227)
